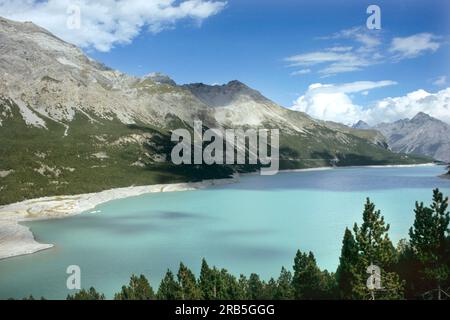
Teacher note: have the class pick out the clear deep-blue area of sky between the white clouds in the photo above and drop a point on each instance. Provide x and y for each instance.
(250, 39)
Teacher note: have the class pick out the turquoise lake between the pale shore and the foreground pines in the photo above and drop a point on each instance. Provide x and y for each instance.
(255, 225)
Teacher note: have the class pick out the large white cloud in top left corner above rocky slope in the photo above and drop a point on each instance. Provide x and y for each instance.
(105, 23)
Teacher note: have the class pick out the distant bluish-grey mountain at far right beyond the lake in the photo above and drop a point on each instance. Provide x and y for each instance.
(421, 135)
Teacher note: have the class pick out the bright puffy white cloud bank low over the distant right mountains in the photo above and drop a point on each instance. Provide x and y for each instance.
(333, 102)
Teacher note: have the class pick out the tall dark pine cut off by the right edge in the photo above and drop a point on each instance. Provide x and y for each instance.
(429, 240)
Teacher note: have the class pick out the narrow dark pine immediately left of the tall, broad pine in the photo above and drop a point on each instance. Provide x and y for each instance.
(345, 274)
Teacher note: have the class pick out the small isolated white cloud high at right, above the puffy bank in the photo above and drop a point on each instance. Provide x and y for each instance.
(415, 45)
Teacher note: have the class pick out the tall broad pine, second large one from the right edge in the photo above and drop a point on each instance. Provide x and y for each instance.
(375, 248)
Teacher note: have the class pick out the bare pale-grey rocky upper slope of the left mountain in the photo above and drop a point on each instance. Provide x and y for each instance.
(48, 77)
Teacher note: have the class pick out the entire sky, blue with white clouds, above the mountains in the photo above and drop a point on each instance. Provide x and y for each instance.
(343, 70)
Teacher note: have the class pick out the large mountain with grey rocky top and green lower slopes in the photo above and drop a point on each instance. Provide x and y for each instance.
(69, 124)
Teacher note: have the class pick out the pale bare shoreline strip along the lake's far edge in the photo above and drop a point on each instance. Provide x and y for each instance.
(16, 239)
